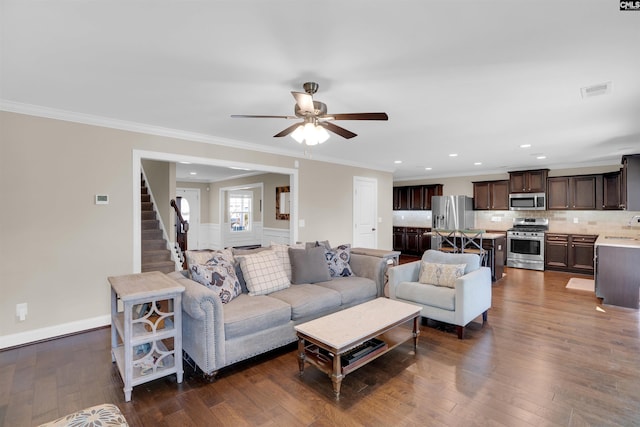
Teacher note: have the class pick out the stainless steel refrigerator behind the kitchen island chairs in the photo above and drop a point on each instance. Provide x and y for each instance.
(452, 212)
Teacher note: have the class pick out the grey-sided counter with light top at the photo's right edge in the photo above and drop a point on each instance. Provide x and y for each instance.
(618, 270)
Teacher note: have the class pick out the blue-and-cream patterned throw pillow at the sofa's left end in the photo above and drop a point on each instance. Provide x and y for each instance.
(219, 275)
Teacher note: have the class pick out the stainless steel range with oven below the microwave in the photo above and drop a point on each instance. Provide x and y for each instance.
(525, 243)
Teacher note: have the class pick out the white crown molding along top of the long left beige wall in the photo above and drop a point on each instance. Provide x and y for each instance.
(107, 122)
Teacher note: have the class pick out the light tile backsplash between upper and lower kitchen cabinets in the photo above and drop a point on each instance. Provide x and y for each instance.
(611, 223)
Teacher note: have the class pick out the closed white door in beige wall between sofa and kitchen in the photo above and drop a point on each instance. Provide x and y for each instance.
(365, 212)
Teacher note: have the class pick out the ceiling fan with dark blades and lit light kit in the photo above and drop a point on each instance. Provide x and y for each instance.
(315, 119)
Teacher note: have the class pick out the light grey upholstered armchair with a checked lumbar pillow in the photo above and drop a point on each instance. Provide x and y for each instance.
(455, 289)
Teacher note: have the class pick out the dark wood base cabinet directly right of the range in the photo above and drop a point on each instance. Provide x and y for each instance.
(570, 252)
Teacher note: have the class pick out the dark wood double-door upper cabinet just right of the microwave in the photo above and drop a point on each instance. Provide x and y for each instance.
(581, 192)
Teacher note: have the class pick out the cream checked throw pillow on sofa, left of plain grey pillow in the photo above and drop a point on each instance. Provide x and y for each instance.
(263, 273)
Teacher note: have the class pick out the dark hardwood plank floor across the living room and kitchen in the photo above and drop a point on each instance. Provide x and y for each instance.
(547, 356)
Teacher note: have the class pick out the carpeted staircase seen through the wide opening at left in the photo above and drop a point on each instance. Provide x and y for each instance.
(155, 255)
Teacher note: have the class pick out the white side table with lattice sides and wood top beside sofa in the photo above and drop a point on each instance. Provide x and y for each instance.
(146, 340)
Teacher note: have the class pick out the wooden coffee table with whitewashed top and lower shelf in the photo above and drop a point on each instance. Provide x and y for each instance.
(323, 341)
